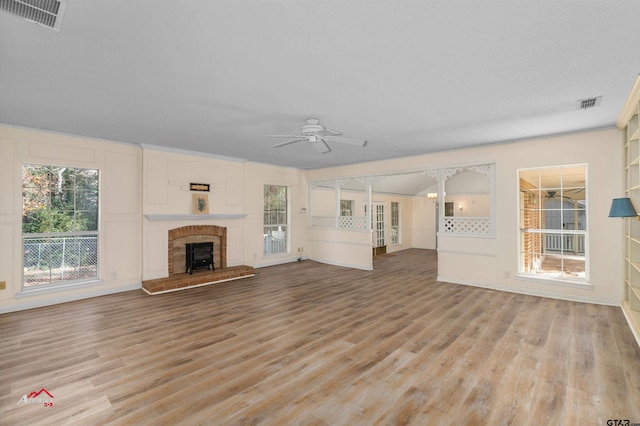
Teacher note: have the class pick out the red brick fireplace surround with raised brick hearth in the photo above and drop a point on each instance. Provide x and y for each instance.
(178, 279)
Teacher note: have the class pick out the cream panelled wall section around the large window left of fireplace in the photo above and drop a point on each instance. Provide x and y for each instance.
(119, 166)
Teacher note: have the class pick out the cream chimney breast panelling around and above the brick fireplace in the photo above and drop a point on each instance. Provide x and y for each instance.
(166, 181)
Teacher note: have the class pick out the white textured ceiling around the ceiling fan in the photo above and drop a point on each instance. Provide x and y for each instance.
(410, 77)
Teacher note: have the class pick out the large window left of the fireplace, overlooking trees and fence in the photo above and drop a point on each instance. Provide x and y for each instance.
(59, 225)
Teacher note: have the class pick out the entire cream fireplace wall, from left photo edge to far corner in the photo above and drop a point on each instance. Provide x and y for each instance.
(136, 183)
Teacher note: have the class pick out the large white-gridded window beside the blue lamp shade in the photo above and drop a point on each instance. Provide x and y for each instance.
(553, 223)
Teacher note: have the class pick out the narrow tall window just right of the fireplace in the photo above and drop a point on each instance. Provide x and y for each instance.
(275, 219)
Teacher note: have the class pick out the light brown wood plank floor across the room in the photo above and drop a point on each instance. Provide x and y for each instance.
(307, 343)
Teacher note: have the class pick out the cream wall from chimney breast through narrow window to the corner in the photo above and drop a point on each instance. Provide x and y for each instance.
(236, 188)
